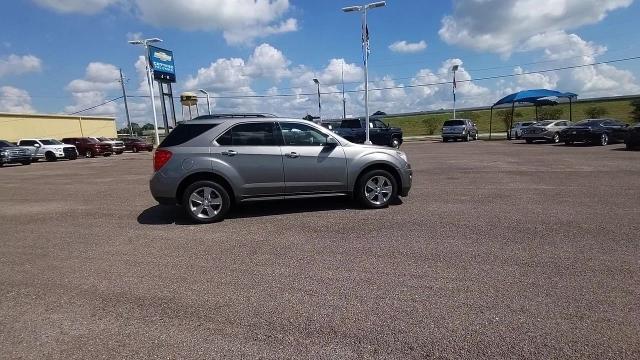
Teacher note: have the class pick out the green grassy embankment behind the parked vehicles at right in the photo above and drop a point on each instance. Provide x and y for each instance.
(415, 125)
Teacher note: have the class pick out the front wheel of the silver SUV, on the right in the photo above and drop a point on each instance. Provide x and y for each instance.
(363, 189)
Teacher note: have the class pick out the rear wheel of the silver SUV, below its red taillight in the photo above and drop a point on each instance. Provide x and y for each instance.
(190, 204)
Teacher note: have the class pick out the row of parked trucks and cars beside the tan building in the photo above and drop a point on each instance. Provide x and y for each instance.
(26, 151)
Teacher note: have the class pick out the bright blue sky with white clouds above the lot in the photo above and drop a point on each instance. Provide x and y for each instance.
(62, 56)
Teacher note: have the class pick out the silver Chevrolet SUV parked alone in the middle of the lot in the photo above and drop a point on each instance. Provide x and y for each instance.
(206, 165)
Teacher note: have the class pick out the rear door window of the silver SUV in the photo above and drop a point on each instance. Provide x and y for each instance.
(249, 134)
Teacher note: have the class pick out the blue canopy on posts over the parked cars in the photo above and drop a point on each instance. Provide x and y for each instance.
(536, 97)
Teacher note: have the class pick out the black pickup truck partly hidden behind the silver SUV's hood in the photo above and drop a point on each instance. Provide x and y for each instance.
(379, 132)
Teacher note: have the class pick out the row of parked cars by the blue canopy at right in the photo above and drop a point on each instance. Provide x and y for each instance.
(592, 131)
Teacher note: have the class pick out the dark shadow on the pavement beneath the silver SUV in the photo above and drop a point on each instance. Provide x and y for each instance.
(164, 214)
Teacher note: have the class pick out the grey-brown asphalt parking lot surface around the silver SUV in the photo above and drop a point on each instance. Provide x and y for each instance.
(502, 250)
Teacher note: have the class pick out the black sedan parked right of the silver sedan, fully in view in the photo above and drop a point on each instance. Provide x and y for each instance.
(595, 131)
